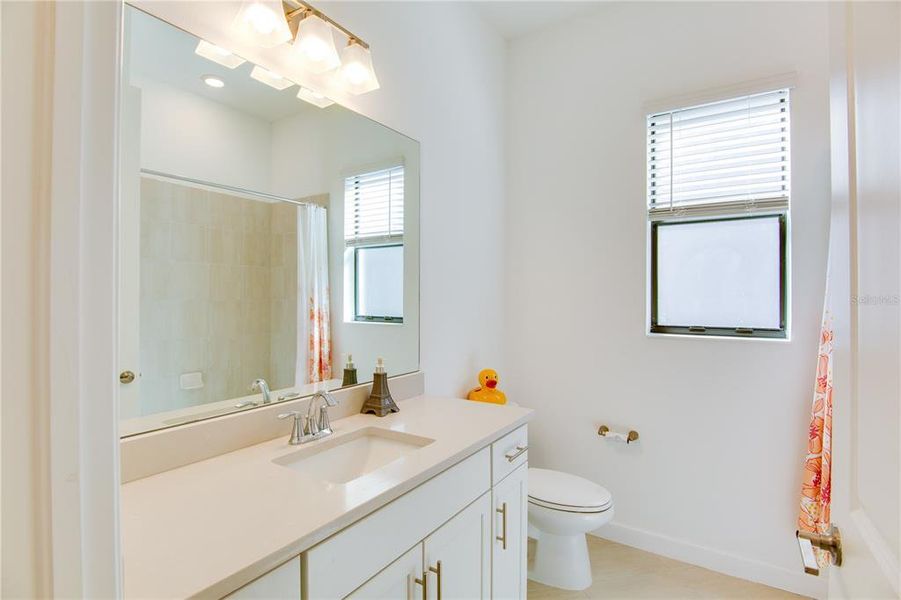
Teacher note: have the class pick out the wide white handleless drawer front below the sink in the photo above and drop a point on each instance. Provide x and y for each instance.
(340, 564)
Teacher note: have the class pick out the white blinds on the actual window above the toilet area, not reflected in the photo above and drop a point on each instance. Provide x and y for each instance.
(716, 157)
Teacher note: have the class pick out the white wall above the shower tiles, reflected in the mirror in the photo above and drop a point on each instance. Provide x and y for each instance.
(185, 134)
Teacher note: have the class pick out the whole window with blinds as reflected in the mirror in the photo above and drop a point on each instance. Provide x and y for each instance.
(374, 240)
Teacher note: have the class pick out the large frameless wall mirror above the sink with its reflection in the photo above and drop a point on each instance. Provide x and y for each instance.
(264, 240)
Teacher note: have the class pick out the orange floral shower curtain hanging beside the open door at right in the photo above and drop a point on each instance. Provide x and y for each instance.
(816, 488)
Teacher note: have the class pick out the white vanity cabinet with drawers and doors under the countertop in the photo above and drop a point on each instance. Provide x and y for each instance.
(459, 535)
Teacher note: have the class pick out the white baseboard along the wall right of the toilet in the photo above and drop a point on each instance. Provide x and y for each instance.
(715, 560)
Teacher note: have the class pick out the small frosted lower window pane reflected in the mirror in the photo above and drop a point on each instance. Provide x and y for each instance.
(380, 281)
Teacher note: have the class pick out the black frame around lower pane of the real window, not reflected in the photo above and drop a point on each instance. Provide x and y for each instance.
(734, 332)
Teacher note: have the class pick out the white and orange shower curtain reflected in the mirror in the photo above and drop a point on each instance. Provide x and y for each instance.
(314, 339)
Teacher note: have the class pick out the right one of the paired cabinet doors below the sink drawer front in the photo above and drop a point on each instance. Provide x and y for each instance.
(458, 555)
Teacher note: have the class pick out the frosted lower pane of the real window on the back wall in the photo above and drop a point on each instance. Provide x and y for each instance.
(719, 274)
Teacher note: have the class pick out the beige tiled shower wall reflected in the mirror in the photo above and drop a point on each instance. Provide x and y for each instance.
(218, 294)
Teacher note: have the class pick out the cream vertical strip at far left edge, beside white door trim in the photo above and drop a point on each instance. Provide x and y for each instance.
(25, 505)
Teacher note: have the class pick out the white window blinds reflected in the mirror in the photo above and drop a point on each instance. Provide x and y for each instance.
(374, 207)
